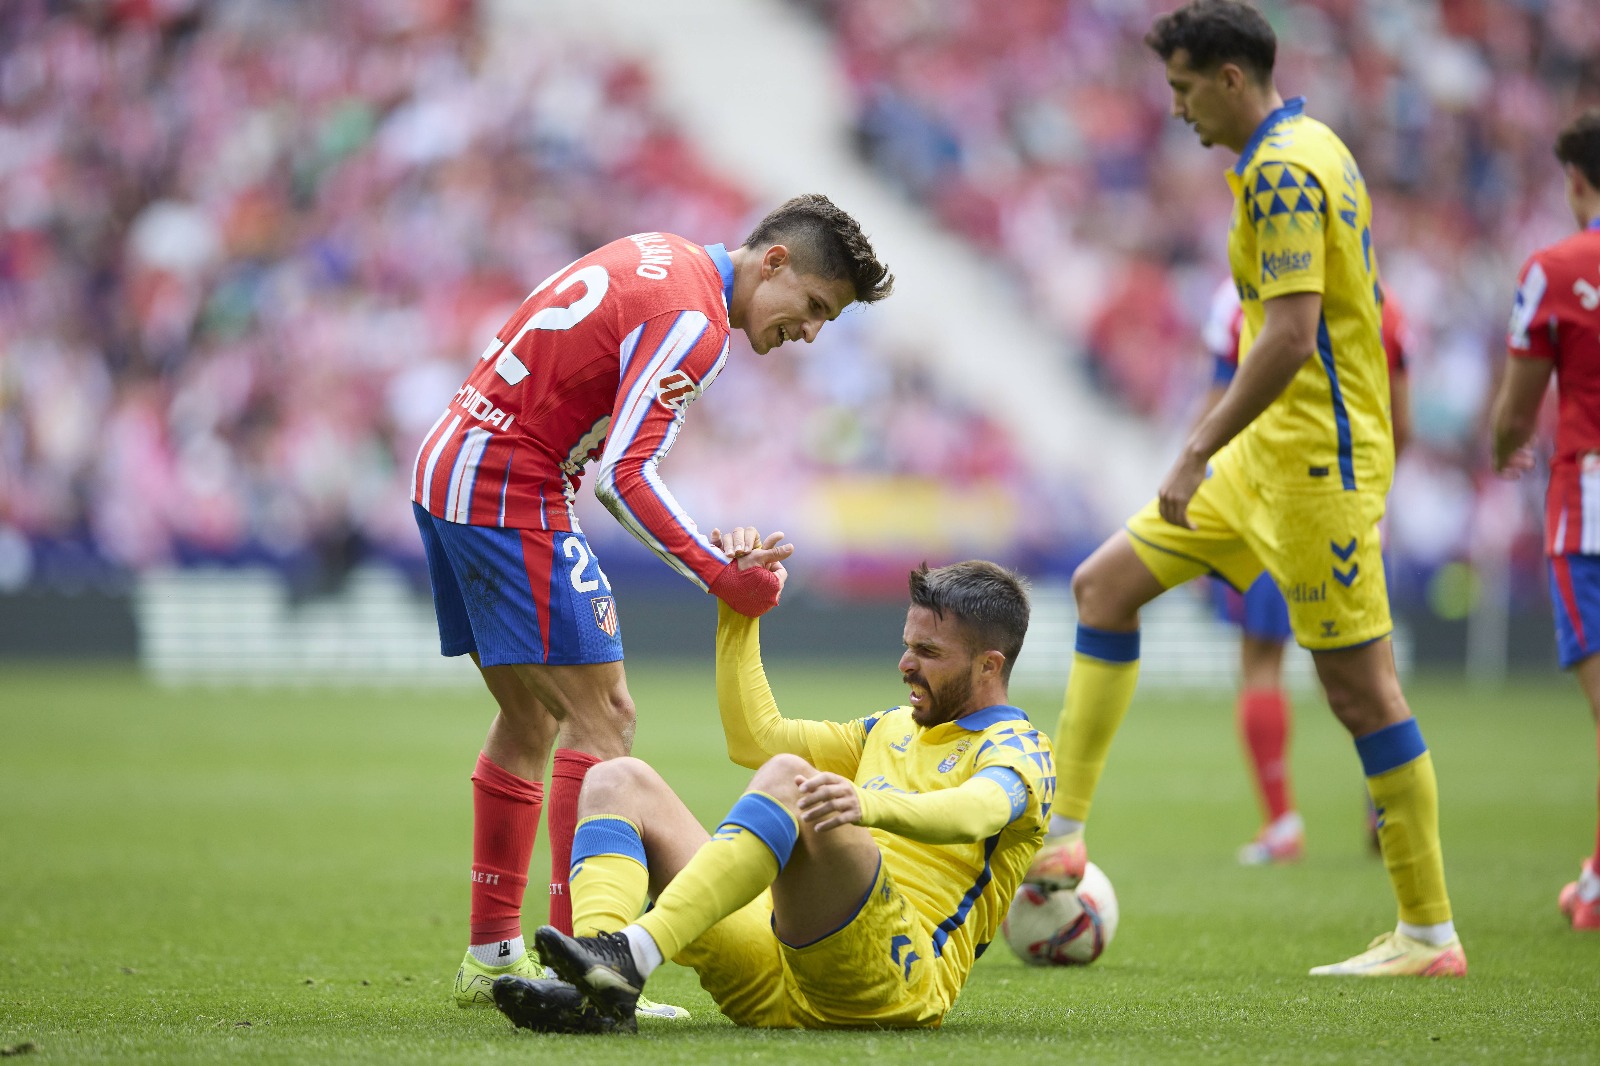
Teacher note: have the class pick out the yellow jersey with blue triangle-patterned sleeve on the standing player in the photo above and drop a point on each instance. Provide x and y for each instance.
(1303, 225)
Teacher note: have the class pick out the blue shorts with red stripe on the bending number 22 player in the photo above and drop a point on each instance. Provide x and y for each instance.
(519, 596)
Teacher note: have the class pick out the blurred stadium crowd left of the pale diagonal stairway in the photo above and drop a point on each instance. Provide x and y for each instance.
(249, 252)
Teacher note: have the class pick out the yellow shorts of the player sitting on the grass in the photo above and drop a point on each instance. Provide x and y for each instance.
(876, 972)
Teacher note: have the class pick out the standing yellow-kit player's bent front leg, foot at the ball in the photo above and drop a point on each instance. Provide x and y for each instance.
(1110, 588)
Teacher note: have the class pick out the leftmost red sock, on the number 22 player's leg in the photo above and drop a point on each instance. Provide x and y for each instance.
(505, 825)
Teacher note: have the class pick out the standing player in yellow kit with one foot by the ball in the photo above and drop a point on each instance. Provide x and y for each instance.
(1287, 475)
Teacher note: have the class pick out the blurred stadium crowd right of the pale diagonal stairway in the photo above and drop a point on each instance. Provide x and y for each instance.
(1041, 130)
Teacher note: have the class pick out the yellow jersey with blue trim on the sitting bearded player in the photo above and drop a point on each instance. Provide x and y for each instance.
(962, 891)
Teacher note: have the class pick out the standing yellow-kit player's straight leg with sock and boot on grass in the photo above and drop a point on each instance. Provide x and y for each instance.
(1364, 692)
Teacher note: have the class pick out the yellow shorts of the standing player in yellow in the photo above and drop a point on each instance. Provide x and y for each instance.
(1322, 548)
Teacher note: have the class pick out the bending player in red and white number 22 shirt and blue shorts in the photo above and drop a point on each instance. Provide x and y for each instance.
(599, 363)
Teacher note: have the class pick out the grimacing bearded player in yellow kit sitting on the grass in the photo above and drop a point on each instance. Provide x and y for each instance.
(865, 870)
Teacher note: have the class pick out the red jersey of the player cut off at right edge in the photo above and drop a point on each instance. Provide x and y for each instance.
(1558, 318)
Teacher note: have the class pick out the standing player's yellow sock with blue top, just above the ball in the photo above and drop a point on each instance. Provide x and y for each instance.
(1105, 673)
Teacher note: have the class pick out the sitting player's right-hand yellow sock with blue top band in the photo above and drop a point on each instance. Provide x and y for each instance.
(735, 867)
